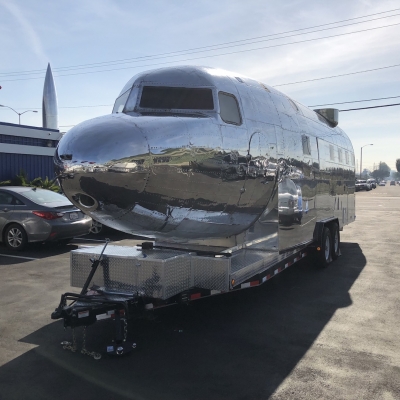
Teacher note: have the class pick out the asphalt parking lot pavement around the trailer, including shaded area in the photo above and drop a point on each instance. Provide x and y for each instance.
(306, 334)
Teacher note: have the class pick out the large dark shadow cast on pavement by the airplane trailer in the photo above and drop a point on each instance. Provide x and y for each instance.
(240, 345)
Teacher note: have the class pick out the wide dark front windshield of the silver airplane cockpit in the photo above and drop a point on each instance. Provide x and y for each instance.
(176, 98)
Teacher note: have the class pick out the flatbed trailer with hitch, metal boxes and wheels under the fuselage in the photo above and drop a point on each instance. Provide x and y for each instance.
(127, 283)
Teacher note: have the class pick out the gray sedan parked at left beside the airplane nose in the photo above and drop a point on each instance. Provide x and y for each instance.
(37, 215)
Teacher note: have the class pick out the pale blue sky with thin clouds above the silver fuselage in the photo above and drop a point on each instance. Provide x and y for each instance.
(73, 34)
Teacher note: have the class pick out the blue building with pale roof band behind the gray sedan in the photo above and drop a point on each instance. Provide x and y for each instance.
(29, 148)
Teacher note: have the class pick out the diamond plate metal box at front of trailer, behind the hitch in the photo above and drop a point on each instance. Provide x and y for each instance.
(154, 273)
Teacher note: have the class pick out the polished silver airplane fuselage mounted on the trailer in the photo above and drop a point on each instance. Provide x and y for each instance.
(187, 177)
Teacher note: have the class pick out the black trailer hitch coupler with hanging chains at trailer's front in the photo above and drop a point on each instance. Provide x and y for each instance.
(96, 305)
